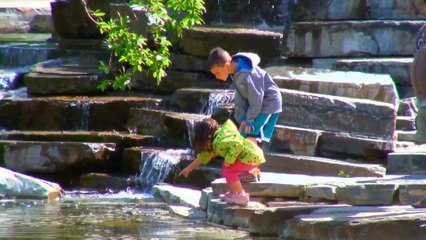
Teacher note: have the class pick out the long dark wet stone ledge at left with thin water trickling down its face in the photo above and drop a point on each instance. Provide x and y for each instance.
(71, 113)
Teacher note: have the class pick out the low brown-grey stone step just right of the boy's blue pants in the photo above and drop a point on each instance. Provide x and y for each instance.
(311, 142)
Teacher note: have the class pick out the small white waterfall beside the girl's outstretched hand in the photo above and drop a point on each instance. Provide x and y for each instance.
(157, 166)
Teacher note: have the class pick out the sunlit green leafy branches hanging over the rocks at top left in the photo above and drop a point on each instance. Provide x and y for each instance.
(138, 52)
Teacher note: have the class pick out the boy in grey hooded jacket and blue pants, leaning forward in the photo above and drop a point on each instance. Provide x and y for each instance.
(257, 99)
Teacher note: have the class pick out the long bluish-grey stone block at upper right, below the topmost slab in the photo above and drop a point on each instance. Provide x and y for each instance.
(351, 38)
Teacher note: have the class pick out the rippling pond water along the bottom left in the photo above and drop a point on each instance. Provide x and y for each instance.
(90, 215)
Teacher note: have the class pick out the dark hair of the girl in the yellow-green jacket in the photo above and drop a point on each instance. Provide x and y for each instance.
(203, 135)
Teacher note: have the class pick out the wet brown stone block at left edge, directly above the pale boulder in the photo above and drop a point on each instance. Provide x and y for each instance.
(54, 157)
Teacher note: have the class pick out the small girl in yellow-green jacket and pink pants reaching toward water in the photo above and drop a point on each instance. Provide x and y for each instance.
(241, 156)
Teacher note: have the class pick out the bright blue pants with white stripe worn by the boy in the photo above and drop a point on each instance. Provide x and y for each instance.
(264, 126)
